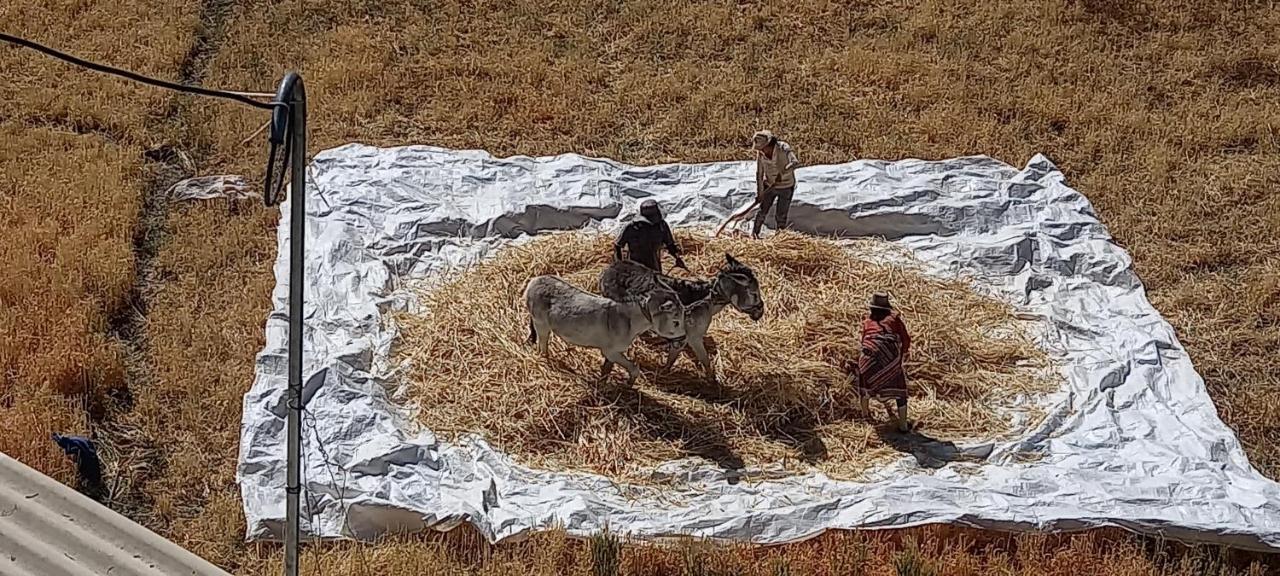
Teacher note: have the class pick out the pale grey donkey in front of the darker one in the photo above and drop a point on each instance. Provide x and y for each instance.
(592, 322)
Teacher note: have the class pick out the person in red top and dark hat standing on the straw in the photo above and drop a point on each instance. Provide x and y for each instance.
(880, 369)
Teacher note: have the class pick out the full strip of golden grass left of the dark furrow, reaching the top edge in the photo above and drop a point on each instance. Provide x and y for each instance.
(71, 186)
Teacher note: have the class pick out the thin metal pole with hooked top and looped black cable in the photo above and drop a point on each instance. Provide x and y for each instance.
(290, 127)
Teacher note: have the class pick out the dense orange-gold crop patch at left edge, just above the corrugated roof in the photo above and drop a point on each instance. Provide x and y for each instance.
(67, 220)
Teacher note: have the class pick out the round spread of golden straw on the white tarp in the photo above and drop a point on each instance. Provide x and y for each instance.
(783, 396)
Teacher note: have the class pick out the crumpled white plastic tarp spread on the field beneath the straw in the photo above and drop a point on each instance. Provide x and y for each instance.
(1132, 440)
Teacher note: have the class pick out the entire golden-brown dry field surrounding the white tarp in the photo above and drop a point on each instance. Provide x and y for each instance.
(1165, 115)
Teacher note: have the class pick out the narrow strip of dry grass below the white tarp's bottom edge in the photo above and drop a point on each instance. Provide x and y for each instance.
(930, 551)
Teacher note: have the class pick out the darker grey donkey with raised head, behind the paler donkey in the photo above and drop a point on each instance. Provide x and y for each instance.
(735, 285)
